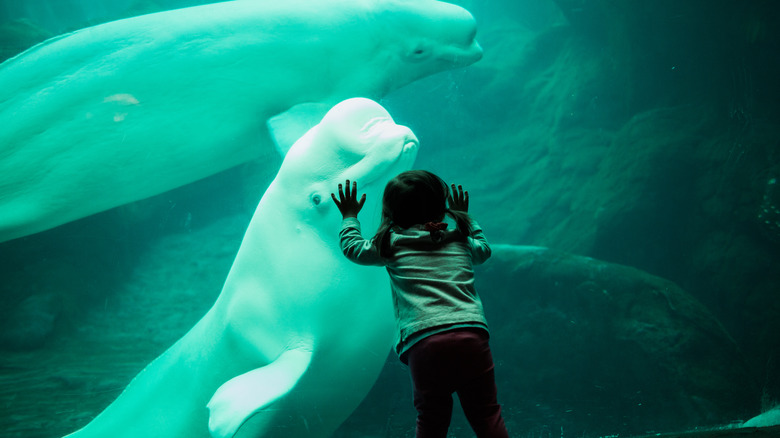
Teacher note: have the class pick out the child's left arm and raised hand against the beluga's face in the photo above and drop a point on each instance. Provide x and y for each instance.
(353, 245)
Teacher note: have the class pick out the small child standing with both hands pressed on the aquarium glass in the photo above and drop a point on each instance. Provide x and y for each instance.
(443, 334)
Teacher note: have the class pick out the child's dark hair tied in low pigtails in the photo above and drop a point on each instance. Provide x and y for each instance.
(415, 197)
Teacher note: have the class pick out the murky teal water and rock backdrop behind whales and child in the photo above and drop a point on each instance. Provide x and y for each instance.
(638, 140)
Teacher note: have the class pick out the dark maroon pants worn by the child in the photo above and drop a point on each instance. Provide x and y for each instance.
(456, 361)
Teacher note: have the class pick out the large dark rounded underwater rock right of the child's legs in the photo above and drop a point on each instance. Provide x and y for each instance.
(606, 348)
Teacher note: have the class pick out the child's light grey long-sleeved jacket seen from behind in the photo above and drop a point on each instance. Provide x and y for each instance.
(432, 280)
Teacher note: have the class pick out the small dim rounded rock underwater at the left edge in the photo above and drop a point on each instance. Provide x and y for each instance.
(30, 323)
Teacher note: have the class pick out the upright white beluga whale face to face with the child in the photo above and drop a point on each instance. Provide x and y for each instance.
(298, 334)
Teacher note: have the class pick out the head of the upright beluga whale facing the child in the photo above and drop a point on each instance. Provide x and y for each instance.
(356, 140)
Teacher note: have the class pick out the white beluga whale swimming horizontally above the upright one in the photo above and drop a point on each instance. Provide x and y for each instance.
(128, 109)
